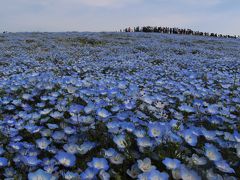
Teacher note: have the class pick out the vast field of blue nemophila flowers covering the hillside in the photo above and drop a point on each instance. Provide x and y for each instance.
(119, 106)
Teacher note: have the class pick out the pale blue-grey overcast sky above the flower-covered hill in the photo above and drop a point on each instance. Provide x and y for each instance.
(221, 16)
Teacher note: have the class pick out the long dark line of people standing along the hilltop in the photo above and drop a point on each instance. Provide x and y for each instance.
(168, 30)
